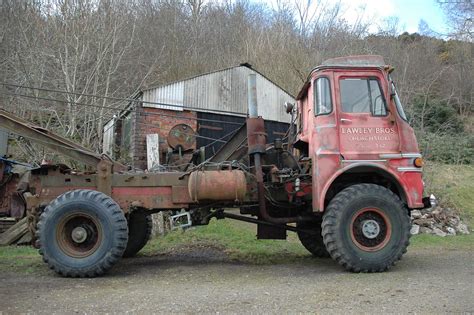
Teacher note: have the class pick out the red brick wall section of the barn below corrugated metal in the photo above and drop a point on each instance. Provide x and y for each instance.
(153, 120)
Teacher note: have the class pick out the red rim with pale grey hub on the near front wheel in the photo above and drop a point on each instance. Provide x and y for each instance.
(370, 229)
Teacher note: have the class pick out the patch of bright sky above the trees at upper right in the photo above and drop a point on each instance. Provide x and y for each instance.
(409, 12)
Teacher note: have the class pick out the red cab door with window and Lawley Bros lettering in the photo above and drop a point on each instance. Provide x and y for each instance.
(366, 128)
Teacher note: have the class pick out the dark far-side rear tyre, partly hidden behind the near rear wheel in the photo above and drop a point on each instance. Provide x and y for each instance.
(139, 231)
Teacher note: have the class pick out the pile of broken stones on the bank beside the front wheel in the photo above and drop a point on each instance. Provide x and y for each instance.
(437, 221)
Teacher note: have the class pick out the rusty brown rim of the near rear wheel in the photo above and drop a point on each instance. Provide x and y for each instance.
(79, 235)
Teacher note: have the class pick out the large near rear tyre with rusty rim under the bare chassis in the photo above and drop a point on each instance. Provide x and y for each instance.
(105, 239)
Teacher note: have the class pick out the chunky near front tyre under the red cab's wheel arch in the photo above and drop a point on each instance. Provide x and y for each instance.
(346, 244)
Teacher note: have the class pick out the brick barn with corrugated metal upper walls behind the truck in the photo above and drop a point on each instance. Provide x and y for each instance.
(209, 106)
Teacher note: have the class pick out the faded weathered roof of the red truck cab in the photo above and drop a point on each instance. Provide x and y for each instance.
(361, 61)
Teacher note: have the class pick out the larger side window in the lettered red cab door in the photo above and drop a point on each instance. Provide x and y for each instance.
(362, 96)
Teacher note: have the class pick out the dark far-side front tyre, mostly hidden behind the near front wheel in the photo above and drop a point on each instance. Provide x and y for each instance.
(313, 242)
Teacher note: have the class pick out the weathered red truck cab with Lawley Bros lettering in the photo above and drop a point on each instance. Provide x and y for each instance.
(353, 127)
